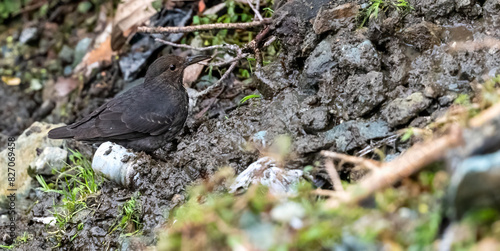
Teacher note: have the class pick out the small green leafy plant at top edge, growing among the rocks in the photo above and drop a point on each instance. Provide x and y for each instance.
(376, 6)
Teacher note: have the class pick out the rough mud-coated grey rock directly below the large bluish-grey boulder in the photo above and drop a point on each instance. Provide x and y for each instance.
(362, 93)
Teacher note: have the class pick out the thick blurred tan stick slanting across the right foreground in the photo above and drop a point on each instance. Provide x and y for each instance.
(414, 159)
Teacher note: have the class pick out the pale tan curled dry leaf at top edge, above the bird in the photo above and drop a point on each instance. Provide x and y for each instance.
(130, 13)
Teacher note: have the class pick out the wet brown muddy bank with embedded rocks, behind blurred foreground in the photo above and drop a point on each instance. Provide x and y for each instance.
(333, 86)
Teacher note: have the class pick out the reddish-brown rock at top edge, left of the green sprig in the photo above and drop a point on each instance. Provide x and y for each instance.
(333, 19)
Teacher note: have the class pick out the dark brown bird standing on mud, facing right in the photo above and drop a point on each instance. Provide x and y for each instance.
(143, 118)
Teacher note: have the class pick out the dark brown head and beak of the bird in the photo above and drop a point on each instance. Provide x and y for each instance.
(171, 67)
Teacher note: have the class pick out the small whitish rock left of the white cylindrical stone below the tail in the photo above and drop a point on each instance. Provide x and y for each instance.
(50, 158)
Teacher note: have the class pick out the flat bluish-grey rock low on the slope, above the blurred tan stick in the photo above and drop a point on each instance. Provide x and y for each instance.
(352, 134)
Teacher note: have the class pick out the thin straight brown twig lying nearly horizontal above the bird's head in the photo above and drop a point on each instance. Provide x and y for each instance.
(204, 27)
